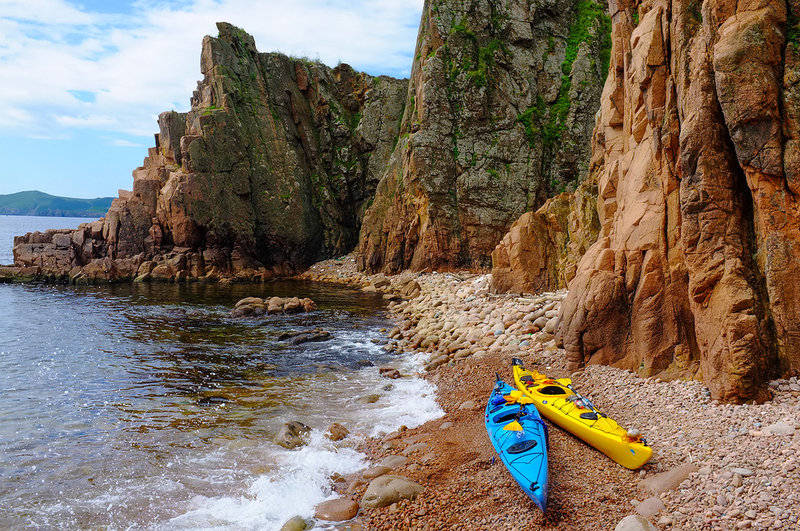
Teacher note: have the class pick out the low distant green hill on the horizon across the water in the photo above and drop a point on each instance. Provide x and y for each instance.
(34, 203)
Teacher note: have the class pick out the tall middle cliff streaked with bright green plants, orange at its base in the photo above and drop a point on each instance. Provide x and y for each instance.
(498, 117)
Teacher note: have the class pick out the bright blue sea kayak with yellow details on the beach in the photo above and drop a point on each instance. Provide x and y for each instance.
(520, 437)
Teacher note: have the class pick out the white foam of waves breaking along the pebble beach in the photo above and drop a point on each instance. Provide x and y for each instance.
(301, 478)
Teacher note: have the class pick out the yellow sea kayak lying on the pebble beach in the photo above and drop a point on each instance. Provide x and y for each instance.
(559, 403)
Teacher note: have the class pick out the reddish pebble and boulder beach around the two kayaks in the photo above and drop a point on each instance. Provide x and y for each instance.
(715, 465)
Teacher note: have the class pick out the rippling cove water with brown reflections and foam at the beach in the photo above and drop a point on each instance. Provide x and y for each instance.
(146, 406)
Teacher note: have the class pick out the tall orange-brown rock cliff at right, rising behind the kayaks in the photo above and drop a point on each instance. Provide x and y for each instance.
(696, 273)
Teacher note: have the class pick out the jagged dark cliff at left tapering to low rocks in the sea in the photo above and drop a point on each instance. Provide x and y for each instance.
(270, 170)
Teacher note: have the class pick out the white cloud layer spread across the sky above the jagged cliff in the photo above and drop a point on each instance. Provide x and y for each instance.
(141, 64)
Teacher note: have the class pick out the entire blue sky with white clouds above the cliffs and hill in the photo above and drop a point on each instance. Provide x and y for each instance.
(82, 82)
